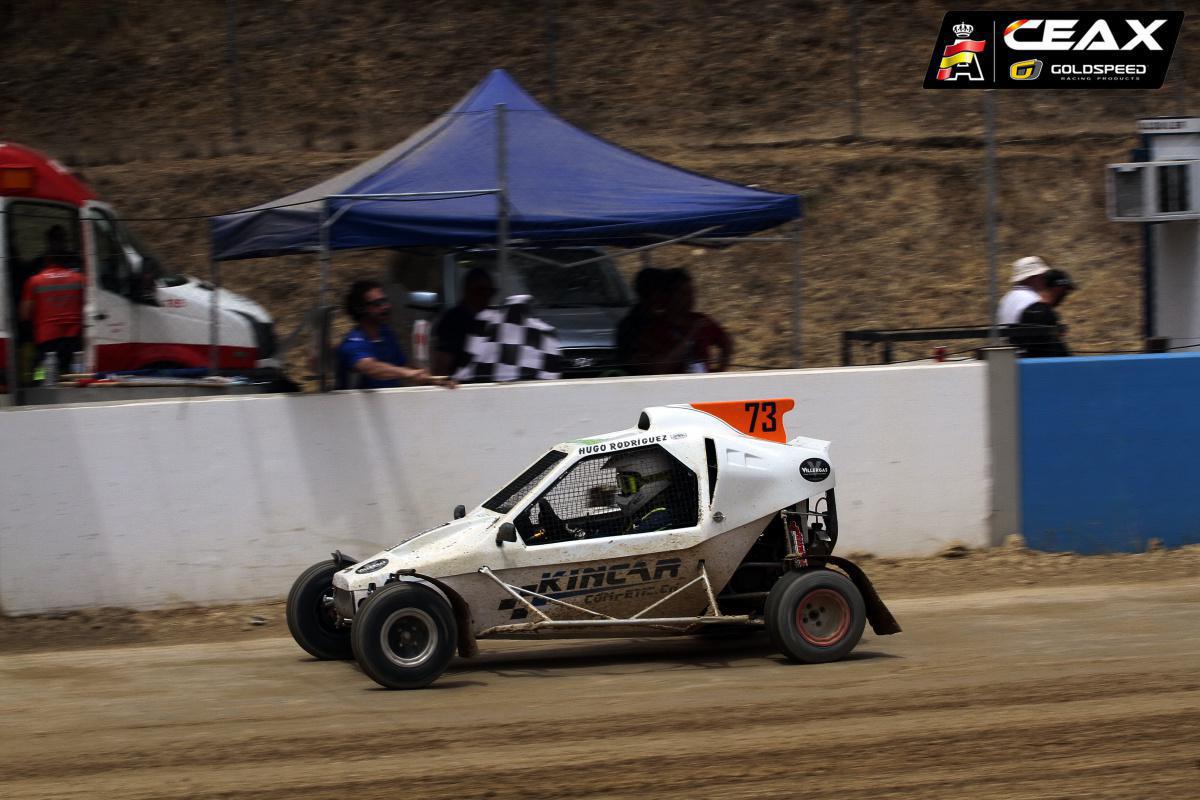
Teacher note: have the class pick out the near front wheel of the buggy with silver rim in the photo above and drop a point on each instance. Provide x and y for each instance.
(405, 636)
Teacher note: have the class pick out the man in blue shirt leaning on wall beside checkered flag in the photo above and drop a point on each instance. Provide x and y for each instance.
(370, 356)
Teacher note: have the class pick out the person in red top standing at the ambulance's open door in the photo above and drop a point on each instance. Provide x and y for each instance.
(53, 303)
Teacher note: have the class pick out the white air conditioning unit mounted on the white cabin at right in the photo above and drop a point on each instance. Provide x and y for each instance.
(1155, 191)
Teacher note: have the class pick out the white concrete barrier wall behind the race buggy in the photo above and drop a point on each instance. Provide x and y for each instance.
(214, 501)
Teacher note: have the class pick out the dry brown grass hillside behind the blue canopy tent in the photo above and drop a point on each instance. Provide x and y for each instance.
(140, 97)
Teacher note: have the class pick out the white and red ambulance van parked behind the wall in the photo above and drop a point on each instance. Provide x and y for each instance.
(135, 316)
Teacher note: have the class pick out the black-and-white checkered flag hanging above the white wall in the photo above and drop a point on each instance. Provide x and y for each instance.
(507, 344)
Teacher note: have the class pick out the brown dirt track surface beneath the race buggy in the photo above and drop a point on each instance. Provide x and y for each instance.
(1035, 690)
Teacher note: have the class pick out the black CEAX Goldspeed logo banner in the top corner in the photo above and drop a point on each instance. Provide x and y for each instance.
(1031, 50)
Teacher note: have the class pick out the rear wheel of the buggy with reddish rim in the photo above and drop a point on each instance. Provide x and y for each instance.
(815, 616)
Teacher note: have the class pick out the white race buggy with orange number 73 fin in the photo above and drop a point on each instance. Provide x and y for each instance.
(703, 519)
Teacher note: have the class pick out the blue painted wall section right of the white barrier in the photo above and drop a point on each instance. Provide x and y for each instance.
(1111, 453)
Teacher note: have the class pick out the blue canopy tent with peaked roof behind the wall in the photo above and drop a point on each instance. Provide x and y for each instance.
(500, 169)
